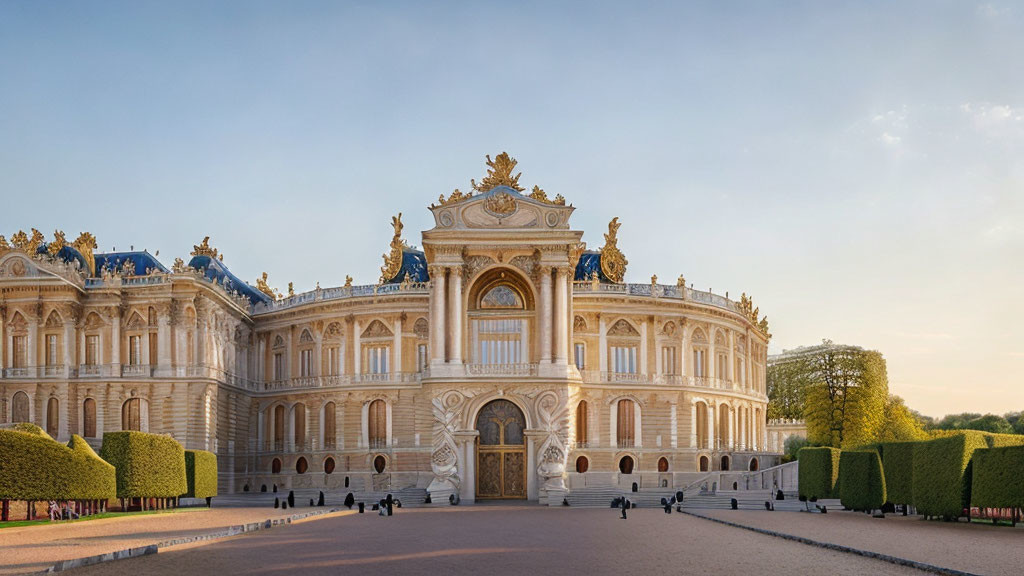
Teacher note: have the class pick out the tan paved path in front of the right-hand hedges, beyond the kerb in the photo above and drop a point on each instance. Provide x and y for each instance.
(970, 548)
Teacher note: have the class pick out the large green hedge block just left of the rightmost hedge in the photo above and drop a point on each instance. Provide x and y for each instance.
(942, 483)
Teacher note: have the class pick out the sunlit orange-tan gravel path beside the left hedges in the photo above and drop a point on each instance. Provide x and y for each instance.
(33, 549)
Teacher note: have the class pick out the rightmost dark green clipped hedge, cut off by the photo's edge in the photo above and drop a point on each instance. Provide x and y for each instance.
(998, 481)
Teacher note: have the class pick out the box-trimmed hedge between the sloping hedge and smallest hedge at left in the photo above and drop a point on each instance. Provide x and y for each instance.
(148, 465)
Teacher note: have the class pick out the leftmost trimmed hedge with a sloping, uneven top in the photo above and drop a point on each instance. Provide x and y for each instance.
(34, 467)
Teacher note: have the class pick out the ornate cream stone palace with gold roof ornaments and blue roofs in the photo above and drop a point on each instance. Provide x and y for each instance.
(504, 360)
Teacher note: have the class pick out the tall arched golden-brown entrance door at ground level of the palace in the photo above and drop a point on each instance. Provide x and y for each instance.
(501, 457)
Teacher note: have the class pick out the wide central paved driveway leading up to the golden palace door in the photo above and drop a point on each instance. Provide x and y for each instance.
(503, 540)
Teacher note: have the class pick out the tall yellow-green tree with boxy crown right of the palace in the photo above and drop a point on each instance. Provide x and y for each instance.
(845, 400)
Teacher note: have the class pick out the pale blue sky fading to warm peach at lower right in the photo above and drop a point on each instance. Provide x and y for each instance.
(856, 167)
